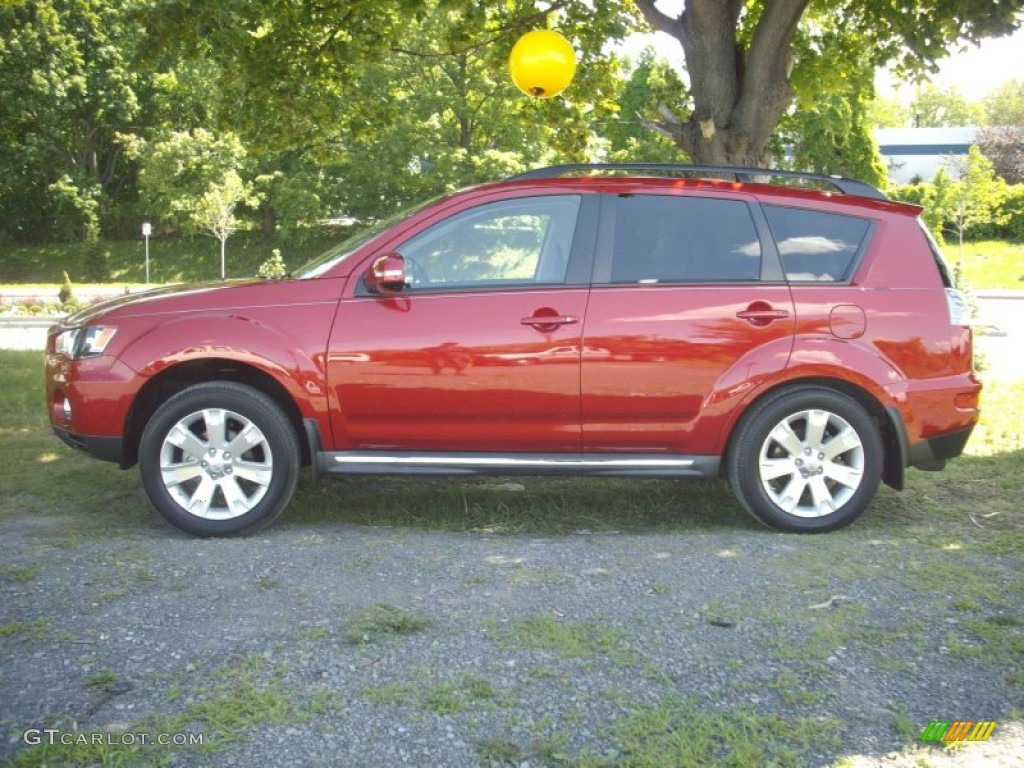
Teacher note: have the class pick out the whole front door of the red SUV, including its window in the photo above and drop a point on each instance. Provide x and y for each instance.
(481, 350)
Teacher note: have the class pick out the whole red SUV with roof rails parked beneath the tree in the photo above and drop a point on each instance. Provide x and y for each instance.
(673, 322)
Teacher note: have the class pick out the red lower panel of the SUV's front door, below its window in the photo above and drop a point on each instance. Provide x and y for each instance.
(459, 372)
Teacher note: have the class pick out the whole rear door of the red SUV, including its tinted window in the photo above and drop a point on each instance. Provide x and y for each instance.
(685, 327)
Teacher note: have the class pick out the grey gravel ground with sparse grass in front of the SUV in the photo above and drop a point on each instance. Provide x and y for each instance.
(135, 629)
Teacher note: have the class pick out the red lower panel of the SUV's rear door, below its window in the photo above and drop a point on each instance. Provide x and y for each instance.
(668, 354)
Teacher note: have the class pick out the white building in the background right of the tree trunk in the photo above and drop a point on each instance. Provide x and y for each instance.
(918, 153)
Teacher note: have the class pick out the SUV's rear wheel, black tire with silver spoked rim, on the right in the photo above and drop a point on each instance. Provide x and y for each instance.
(806, 460)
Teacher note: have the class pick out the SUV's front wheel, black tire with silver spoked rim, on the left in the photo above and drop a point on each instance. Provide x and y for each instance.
(224, 441)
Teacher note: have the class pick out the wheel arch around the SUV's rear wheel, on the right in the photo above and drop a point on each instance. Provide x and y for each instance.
(893, 435)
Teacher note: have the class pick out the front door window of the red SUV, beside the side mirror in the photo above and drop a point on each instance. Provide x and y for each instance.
(508, 243)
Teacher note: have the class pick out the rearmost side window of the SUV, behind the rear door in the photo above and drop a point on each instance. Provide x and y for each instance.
(817, 247)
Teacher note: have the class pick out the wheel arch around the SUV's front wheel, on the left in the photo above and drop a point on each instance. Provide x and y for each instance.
(173, 380)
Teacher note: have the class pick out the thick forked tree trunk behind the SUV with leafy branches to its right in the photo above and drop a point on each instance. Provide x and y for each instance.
(746, 61)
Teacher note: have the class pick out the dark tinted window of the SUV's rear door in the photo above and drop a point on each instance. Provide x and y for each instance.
(662, 239)
